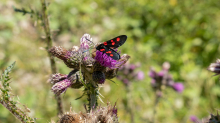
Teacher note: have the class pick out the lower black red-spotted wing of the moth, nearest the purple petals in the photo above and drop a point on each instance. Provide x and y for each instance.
(110, 52)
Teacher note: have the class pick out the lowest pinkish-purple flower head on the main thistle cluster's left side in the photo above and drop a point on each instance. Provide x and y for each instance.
(61, 86)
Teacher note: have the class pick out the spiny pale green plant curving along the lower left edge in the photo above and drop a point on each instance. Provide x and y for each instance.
(7, 98)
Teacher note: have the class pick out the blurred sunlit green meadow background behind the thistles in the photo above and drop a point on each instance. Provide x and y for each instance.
(186, 33)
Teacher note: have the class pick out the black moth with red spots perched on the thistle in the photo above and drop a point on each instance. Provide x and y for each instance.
(108, 46)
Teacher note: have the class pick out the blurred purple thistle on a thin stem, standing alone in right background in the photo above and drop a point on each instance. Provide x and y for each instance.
(161, 80)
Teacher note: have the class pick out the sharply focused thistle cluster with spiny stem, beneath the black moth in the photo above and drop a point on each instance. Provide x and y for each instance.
(88, 71)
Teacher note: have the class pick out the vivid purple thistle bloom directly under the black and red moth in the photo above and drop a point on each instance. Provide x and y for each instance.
(107, 61)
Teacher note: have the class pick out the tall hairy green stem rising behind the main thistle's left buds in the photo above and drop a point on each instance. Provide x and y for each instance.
(49, 45)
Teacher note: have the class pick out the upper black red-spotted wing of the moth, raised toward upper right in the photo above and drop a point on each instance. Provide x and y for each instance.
(116, 42)
